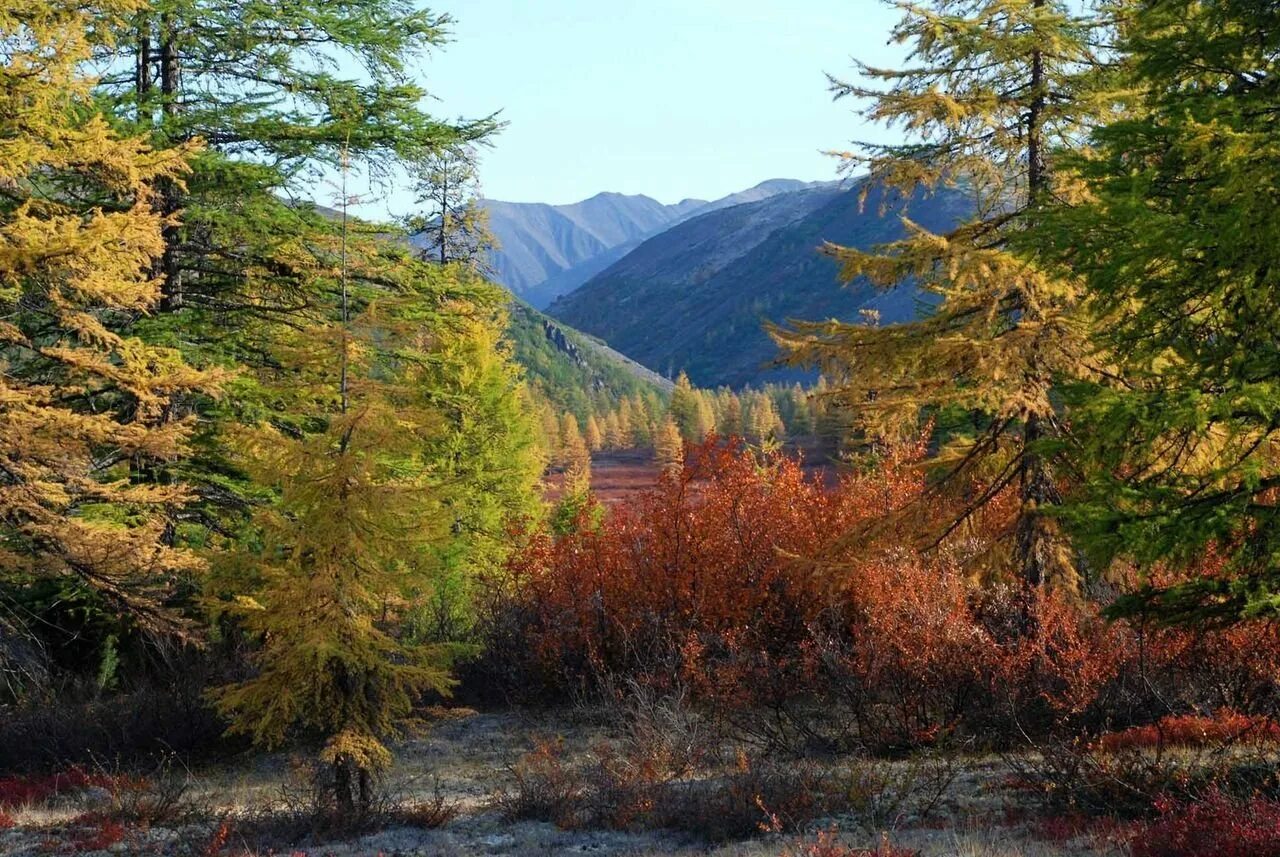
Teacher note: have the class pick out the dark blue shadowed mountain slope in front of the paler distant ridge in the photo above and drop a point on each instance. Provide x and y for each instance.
(693, 299)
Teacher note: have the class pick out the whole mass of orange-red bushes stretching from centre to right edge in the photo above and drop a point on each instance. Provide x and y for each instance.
(758, 589)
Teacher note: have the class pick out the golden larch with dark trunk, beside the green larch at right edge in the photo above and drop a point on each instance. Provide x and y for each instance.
(991, 91)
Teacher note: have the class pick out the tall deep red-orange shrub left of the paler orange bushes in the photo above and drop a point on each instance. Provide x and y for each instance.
(712, 561)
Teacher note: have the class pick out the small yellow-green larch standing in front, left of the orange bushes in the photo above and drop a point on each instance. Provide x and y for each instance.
(331, 574)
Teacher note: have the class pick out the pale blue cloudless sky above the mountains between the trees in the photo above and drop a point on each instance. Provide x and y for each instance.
(669, 98)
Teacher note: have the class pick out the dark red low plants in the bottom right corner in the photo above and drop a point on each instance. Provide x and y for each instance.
(1215, 827)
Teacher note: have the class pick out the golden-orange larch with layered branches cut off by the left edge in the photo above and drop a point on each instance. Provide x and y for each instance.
(85, 405)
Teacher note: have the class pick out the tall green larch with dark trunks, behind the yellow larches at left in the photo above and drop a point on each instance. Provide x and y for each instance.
(286, 97)
